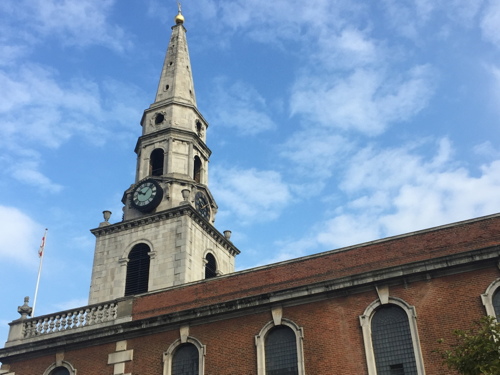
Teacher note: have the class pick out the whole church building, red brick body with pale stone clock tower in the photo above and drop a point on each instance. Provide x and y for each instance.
(165, 298)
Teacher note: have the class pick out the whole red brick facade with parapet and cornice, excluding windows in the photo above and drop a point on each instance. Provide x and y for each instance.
(442, 272)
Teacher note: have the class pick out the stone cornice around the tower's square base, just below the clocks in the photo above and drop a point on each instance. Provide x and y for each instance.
(185, 210)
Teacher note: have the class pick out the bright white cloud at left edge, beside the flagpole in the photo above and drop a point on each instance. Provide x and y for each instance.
(21, 237)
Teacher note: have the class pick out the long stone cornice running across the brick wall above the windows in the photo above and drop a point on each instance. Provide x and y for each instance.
(408, 273)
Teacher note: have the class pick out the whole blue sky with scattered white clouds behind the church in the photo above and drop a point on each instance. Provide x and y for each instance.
(332, 123)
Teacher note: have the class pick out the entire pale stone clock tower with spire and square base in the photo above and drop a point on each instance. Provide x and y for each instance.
(167, 235)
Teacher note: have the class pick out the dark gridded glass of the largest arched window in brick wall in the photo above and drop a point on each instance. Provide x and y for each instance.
(392, 343)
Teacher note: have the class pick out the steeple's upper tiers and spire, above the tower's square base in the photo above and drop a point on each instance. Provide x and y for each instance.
(172, 148)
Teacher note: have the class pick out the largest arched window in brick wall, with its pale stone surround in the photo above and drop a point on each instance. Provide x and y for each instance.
(391, 339)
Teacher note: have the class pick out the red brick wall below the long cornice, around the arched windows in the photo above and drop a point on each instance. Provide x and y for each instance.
(333, 341)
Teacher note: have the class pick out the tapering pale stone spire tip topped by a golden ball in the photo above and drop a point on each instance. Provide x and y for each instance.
(176, 81)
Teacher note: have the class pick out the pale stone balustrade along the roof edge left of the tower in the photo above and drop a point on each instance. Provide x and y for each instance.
(70, 319)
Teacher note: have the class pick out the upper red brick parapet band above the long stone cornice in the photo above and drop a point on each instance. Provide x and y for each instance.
(350, 261)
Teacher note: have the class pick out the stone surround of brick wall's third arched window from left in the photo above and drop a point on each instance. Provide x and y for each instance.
(260, 343)
